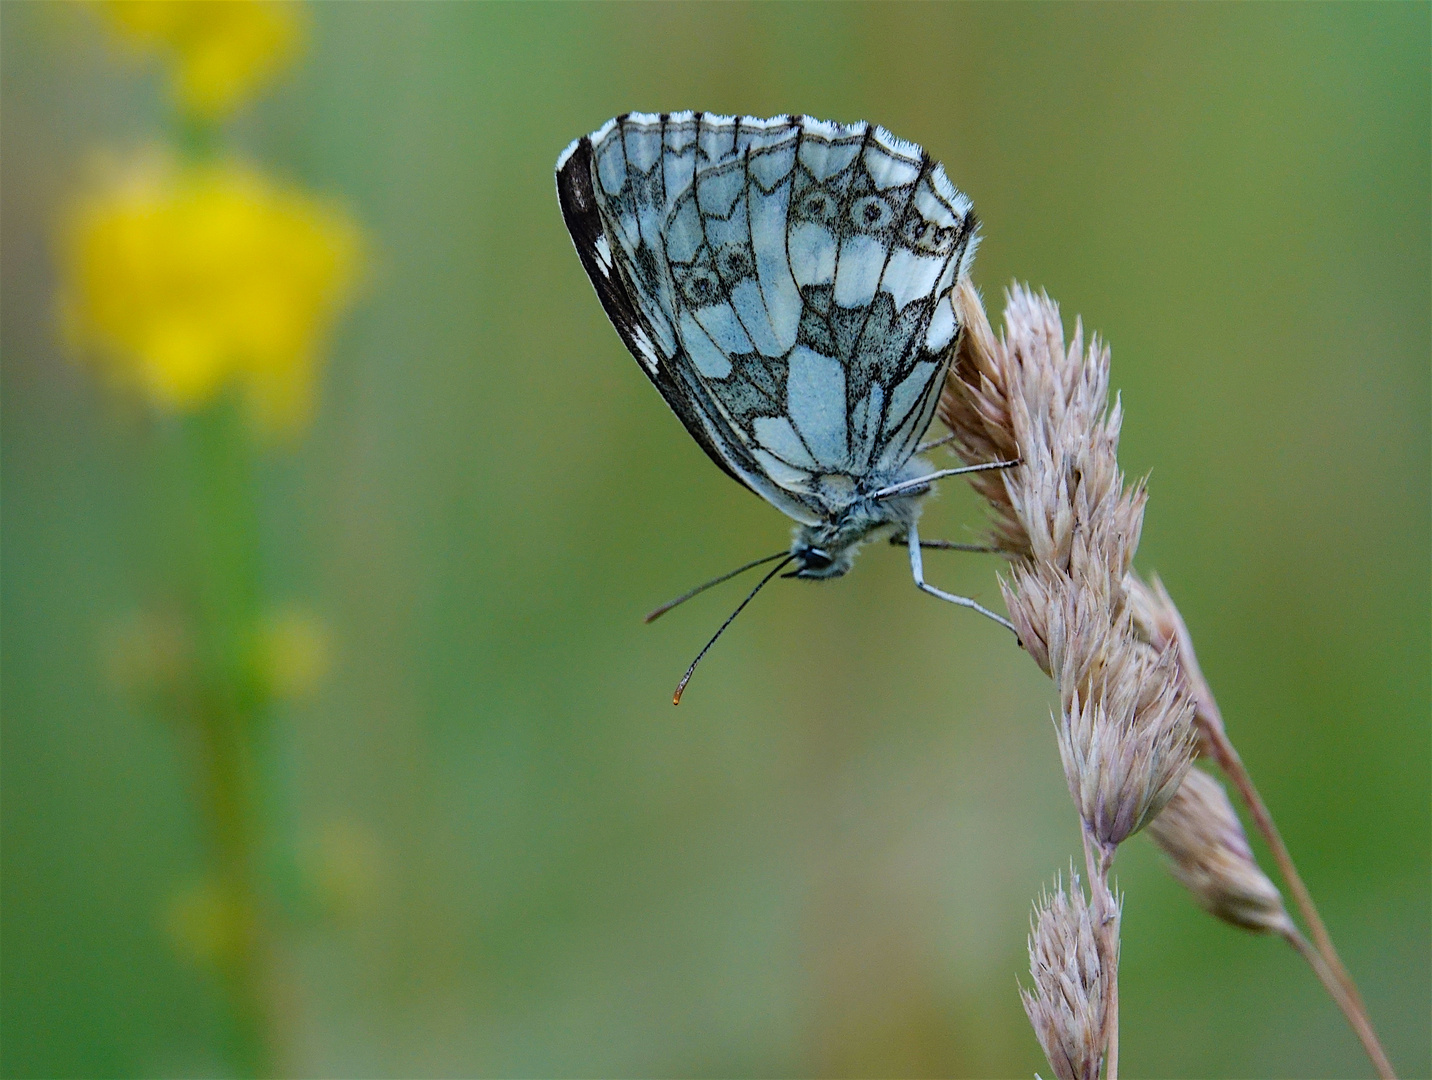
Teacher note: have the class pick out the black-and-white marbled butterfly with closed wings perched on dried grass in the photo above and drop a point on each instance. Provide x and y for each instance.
(788, 287)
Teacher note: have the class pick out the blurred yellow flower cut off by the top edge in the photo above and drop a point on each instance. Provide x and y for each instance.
(221, 51)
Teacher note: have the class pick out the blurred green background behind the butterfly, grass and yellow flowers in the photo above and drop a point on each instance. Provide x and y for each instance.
(823, 863)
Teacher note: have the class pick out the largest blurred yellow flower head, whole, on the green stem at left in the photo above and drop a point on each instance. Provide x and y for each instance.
(188, 281)
